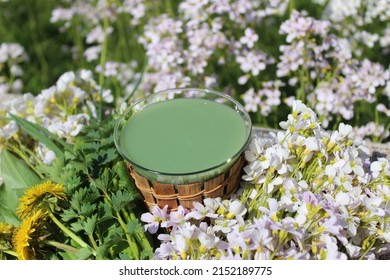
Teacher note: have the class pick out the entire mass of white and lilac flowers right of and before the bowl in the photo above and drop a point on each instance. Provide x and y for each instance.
(312, 194)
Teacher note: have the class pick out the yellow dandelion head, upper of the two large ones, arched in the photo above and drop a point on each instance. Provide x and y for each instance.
(34, 196)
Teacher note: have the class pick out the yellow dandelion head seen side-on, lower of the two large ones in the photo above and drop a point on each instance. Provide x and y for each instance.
(27, 234)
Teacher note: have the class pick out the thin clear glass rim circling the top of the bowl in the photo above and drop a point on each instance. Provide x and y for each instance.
(239, 106)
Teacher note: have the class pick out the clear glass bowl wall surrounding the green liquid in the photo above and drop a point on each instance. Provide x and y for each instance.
(188, 176)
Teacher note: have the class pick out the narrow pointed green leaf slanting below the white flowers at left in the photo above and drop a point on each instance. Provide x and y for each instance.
(41, 134)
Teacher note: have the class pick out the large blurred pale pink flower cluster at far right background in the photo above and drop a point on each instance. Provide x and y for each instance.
(326, 71)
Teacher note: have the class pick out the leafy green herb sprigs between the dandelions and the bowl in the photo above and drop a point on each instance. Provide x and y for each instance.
(102, 199)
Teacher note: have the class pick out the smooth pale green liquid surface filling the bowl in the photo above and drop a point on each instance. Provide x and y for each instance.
(183, 136)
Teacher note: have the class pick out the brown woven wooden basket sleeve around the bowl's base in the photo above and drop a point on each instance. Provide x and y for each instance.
(173, 195)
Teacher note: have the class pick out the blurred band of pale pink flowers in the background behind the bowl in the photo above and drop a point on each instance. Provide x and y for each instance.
(327, 61)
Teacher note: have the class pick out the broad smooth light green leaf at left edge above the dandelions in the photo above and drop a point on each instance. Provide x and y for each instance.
(17, 177)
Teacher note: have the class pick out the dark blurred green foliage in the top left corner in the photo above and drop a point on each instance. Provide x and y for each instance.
(28, 23)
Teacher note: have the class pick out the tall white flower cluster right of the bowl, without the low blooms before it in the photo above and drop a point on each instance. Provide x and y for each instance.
(321, 188)
